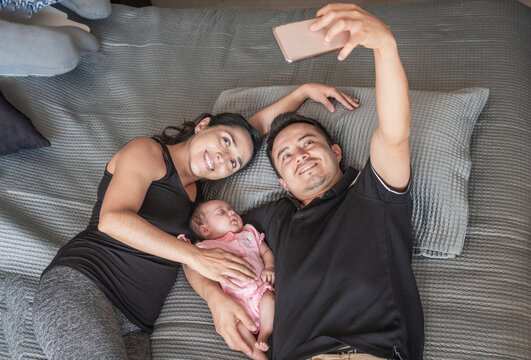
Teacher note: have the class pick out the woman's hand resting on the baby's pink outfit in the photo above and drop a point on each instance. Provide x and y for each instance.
(216, 264)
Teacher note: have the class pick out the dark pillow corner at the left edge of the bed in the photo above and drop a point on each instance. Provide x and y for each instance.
(17, 130)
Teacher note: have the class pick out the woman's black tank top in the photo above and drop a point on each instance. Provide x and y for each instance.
(136, 282)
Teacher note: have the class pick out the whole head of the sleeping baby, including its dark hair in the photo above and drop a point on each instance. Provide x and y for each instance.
(213, 219)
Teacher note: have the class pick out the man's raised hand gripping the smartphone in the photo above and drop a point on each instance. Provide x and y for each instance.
(364, 29)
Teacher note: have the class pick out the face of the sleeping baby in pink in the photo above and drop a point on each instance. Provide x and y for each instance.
(219, 219)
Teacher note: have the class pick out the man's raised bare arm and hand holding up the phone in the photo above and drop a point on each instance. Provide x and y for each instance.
(389, 148)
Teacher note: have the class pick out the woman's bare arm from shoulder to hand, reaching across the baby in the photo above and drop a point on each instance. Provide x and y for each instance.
(134, 167)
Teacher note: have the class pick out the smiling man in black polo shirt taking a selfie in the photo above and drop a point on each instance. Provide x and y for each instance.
(342, 241)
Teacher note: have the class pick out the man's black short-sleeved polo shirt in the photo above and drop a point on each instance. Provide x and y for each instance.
(343, 271)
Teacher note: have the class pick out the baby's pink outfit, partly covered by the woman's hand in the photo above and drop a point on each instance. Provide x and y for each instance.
(246, 243)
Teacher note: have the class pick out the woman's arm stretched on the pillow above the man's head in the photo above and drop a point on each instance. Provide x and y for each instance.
(262, 120)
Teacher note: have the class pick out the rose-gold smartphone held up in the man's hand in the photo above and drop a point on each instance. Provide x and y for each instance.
(297, 42)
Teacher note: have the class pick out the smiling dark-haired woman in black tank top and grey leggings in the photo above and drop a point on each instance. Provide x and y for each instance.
(100, 296)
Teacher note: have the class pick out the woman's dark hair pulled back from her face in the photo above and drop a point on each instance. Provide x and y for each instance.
(175, 134)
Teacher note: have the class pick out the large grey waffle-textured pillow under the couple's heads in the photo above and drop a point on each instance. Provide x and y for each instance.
(442, 125)
